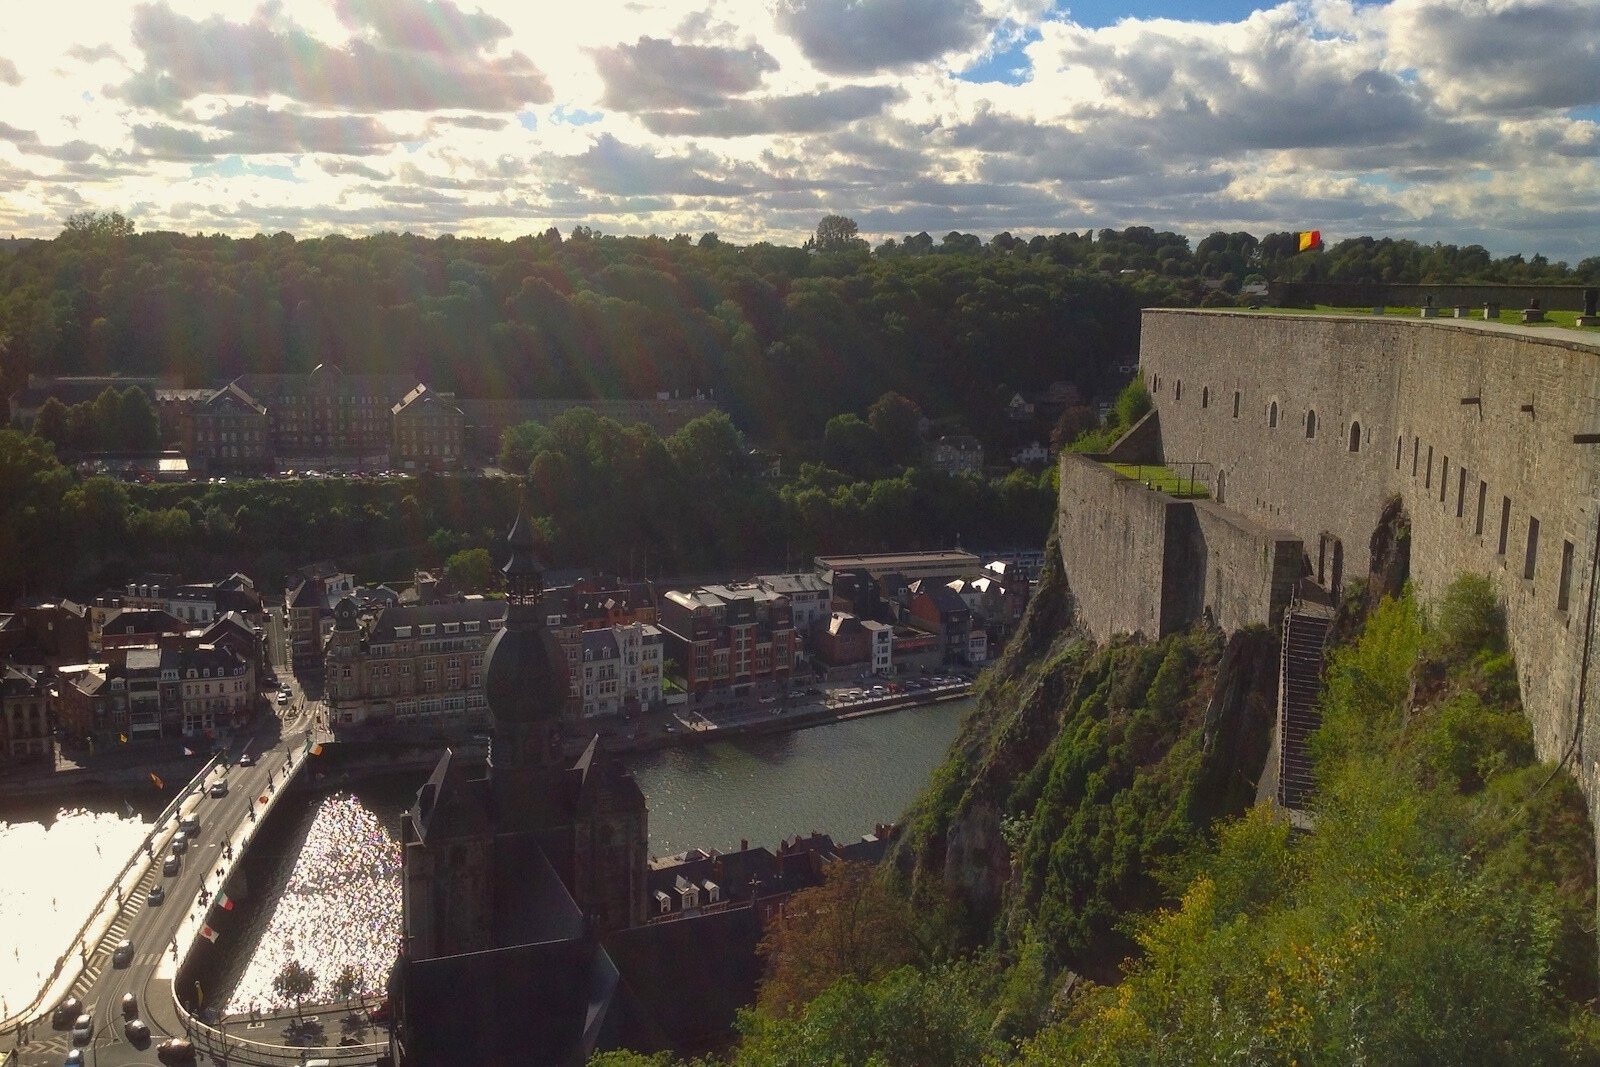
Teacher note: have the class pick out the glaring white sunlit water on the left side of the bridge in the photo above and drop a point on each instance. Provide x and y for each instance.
(55, 873)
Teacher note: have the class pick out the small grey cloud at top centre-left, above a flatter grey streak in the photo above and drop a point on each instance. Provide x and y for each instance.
(655, 74)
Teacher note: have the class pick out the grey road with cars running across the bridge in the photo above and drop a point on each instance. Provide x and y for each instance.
(153, 929)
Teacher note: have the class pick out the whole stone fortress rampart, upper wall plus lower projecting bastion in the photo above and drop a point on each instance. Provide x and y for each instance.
(1310, 423)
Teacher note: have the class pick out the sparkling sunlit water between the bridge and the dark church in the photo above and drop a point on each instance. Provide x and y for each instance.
(340, 908)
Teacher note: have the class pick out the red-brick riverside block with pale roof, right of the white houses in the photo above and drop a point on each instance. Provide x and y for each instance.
(732, 642)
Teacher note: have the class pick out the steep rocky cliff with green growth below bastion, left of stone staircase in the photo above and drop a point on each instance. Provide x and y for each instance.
(1086, 772)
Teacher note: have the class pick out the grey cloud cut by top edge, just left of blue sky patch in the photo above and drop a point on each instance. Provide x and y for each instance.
(870, 36)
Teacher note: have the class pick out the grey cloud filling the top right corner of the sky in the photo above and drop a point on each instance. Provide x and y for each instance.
(1505, 57)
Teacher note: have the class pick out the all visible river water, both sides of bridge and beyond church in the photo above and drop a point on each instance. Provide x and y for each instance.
(332, 893)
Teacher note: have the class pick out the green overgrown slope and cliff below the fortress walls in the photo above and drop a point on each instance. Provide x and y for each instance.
(1084, 884)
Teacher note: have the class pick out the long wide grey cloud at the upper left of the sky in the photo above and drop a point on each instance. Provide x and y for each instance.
(185, 58)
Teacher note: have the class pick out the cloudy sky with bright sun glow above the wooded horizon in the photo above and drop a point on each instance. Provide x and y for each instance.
(1441, 121)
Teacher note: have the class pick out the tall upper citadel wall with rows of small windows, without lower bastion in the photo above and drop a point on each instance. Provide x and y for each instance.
(1489, 433)
